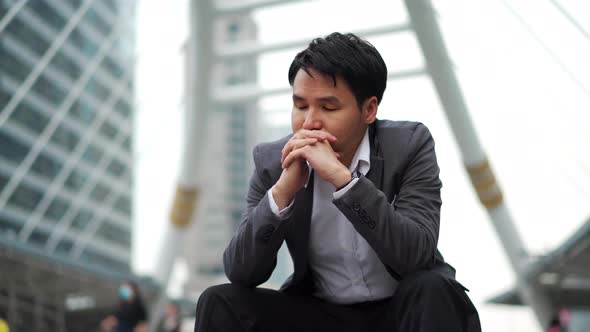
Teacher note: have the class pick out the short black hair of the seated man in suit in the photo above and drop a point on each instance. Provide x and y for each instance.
(346, 56)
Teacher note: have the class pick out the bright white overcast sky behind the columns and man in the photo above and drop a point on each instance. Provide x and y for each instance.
(532, 119)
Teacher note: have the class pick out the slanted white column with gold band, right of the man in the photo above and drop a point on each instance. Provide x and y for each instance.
(440, 67)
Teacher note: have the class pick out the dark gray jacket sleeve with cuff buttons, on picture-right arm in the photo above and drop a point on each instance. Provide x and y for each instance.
(404, 234)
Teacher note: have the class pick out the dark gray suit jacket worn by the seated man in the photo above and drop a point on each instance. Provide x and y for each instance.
(396, 208)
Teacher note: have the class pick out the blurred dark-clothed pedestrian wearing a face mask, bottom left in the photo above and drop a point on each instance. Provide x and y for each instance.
(130, 315)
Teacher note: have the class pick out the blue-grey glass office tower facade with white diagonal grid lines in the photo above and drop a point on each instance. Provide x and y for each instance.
(66, 129)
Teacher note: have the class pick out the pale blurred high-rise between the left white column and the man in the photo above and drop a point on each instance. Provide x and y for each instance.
(233, 132)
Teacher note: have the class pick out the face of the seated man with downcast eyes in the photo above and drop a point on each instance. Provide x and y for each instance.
(318, 104)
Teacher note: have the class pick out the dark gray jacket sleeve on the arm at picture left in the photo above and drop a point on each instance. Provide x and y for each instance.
(251, 255)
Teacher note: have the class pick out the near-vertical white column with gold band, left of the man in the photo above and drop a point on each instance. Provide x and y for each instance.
(198, 70)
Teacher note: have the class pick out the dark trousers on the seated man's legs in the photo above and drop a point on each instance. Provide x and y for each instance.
(424, 301)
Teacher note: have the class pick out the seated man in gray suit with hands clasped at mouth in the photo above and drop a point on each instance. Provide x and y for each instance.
(357, 201)
